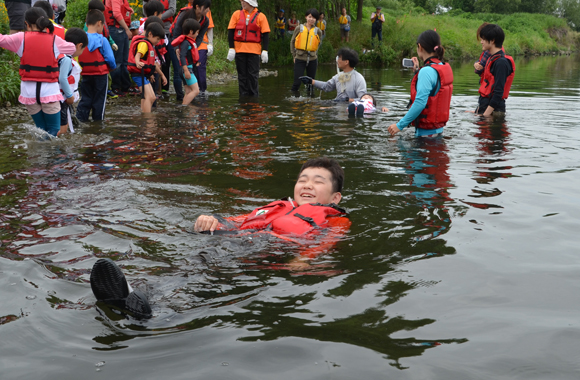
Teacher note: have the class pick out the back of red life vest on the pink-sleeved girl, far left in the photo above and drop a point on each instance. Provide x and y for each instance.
(38, 63)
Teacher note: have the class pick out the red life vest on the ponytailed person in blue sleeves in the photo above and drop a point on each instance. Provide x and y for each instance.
(436, 114)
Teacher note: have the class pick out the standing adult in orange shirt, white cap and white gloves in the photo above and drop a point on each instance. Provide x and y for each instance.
(248, 37)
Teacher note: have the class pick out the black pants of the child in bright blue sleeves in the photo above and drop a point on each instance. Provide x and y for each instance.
(93, 90)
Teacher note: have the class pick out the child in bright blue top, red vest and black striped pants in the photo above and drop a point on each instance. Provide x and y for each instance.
(97, 60)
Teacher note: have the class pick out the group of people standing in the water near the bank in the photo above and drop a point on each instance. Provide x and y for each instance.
(248, 39)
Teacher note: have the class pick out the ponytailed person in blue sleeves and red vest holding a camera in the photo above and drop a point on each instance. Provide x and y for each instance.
(431, 89)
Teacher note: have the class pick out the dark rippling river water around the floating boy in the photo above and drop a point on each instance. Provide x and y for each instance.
(461, 262)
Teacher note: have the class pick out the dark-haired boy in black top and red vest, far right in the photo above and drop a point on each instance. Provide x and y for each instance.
(498, 73)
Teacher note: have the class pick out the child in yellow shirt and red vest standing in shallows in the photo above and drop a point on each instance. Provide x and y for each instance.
(142, 63)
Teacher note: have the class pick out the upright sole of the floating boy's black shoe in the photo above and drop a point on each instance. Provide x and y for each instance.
(108, 281)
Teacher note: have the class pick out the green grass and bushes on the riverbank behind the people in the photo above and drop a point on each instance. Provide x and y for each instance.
(526, 34)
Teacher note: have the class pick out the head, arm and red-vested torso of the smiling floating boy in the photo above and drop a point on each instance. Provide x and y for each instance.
(314, 207)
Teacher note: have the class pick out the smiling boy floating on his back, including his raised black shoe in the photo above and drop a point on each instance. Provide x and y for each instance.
(313, 211)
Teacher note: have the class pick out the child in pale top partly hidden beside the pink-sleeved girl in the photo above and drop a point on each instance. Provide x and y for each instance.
(69, 76)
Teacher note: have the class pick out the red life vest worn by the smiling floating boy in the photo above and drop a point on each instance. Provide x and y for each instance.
(284, 218)
